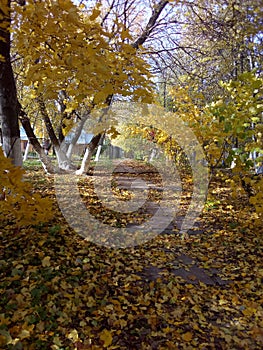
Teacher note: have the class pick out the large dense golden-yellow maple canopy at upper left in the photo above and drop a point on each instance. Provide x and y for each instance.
(62, 48)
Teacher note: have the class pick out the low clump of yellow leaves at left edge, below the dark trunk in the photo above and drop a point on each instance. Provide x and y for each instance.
(17, 202)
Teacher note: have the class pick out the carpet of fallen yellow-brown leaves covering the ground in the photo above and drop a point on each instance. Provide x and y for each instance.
(60, 291)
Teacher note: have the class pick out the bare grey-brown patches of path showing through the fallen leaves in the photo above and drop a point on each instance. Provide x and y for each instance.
(183, 266)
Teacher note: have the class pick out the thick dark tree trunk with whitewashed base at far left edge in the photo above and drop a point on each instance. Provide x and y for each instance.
(8, 94)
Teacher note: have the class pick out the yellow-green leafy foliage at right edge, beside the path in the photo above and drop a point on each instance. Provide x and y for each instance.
(234, 116)
